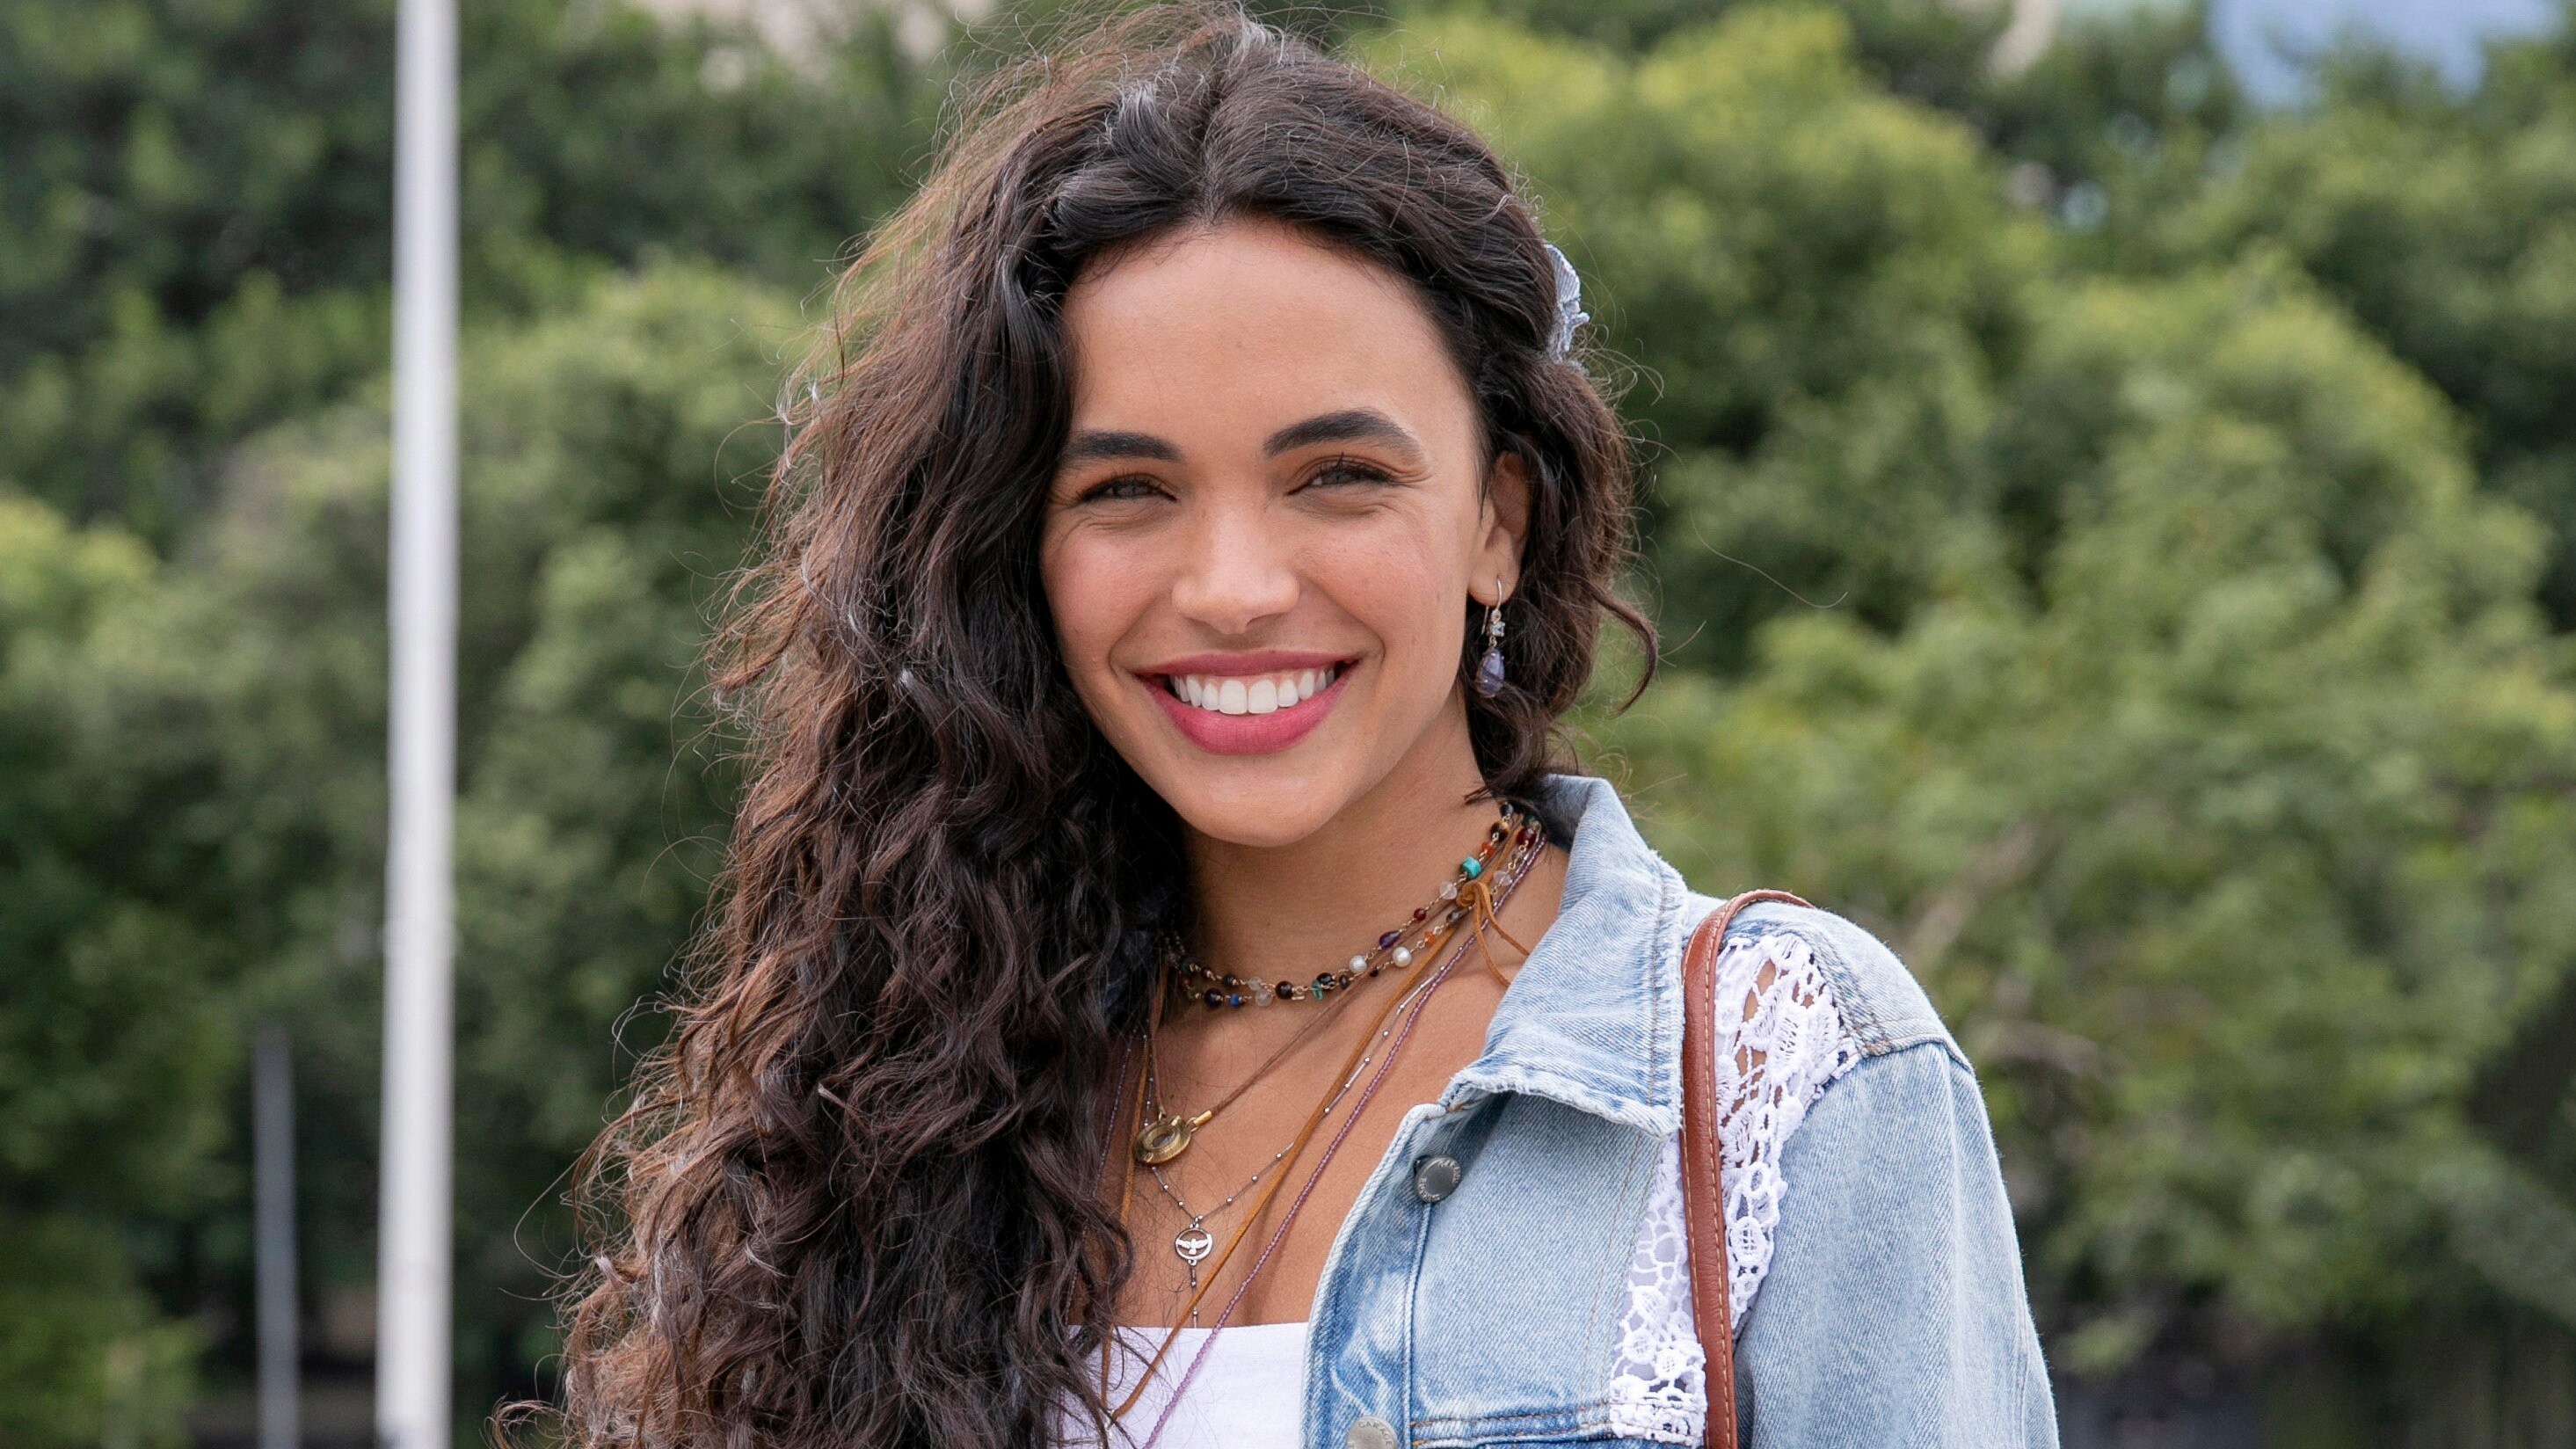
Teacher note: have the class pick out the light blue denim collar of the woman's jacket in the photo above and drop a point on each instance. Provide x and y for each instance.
(1593, 1020)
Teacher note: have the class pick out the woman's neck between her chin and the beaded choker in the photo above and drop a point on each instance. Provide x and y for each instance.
(1294, 911)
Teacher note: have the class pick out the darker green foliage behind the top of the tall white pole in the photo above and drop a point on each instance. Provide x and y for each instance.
(197, 202)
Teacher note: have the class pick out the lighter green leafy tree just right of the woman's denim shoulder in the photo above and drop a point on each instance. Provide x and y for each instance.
(2230, 850)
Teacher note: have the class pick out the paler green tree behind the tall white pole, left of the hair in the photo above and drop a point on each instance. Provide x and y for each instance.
(612, 463)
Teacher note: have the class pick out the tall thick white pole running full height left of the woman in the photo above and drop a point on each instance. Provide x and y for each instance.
(413, 1254)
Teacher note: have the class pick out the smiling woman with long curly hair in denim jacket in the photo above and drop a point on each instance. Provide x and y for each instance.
(1166, 991)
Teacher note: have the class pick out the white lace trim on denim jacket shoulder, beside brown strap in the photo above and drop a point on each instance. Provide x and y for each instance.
(1784, 1045)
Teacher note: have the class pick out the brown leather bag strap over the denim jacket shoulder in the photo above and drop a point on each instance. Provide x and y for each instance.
(1704, 1198)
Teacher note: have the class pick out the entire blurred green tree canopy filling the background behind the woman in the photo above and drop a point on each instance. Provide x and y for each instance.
(2116, 543)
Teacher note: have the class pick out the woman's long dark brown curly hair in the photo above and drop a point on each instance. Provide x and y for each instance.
(859, 1195)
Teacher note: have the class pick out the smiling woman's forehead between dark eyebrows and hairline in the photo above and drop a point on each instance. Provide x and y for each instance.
(1220, 336)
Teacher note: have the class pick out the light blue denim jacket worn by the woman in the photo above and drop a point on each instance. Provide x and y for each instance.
(1892, 1311)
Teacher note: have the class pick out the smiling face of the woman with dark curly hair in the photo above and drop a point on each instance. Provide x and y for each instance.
(1266, 527)
